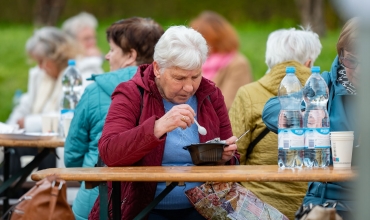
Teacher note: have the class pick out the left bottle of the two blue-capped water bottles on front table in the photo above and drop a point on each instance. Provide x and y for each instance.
(290, 129)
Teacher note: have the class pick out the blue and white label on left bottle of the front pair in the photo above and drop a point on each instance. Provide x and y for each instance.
(291, 139)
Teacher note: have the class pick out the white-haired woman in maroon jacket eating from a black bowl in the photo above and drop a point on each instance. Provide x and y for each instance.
(151, 119)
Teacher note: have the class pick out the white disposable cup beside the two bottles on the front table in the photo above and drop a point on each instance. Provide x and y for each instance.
(342, 147)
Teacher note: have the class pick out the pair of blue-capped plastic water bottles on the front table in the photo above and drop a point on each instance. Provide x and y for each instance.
(303, 139)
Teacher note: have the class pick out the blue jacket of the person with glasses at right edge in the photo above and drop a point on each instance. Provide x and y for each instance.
(343, 117)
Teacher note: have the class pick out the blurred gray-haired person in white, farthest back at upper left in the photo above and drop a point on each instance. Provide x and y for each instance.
(82, 28)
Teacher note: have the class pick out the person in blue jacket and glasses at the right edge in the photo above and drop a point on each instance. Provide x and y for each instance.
(342, 81)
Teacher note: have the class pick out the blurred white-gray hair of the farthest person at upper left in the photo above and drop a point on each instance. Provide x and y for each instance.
(72, 25)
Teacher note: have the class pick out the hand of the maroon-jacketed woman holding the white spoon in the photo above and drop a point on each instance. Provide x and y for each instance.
(179, 116)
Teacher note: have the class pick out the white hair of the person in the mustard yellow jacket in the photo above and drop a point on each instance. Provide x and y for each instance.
(291, 44)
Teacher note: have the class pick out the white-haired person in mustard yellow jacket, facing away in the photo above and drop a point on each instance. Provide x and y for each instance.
(246, 113)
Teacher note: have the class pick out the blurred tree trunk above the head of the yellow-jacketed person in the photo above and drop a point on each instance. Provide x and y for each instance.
(312, 14)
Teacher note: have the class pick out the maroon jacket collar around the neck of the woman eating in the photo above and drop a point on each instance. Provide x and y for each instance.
(145, 78)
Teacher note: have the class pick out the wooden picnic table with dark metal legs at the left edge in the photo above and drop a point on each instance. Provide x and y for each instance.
(12, 184)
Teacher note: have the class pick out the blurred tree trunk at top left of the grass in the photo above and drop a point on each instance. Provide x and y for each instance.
(47, 12)
